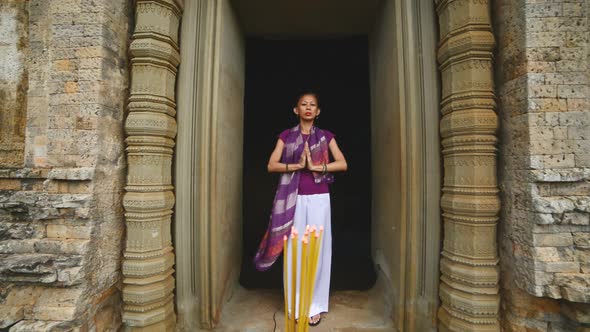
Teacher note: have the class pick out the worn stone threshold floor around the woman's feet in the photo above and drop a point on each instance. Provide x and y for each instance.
(252, 311)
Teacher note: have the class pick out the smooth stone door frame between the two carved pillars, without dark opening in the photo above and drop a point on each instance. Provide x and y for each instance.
(405, 238)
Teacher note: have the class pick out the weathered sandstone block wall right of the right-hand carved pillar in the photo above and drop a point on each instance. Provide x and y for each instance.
(544, 103)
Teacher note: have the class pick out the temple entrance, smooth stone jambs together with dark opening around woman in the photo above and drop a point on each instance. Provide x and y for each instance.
(396, 132)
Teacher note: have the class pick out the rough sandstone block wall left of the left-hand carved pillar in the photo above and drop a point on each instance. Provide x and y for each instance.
(61, 220)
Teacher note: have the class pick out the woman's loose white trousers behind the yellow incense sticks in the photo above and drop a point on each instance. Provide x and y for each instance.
(313, 210)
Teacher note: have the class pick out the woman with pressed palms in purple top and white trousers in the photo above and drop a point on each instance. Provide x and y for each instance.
(302, 198)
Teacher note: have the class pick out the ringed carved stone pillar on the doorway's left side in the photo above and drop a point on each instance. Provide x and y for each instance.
(151, 128)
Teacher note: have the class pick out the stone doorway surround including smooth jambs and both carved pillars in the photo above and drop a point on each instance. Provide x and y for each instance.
(406, 176)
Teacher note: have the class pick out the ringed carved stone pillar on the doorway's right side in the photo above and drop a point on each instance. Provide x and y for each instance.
(470, 202)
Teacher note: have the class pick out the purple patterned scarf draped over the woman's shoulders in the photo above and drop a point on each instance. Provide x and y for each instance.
(283, 209)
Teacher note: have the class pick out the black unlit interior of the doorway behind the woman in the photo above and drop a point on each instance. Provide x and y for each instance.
(277, 71)
